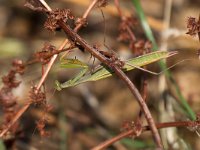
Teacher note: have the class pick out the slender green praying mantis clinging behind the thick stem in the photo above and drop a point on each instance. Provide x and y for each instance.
(102, 71)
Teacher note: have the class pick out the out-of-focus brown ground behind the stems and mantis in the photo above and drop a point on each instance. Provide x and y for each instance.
(85, 115)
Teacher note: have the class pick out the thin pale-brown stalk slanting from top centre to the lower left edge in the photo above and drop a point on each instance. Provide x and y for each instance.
(26, 106)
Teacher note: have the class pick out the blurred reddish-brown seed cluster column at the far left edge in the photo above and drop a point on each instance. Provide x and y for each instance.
(8, 101)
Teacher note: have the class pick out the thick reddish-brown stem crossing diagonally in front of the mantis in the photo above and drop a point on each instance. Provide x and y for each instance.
(75, 37)
